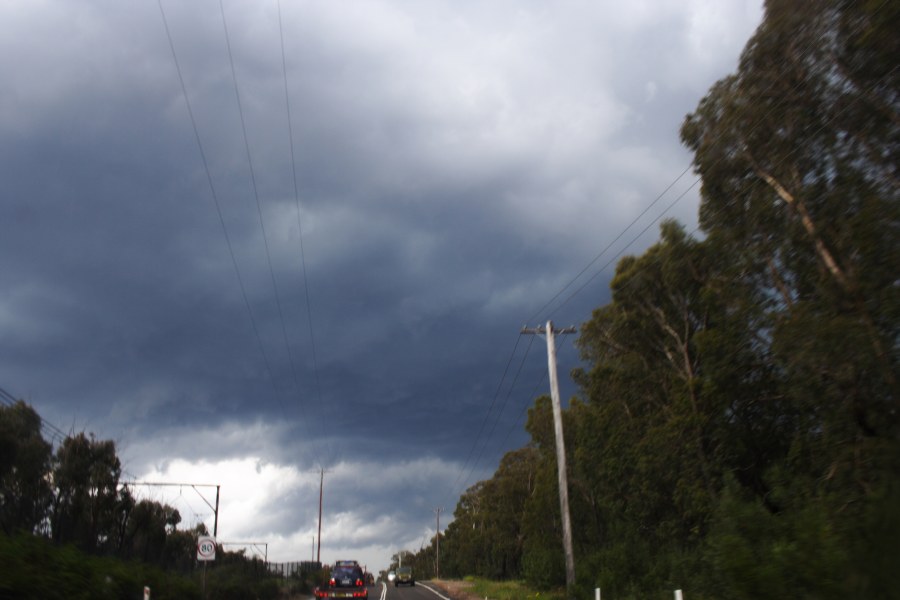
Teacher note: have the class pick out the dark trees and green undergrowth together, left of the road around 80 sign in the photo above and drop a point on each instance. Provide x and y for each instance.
(70, 529)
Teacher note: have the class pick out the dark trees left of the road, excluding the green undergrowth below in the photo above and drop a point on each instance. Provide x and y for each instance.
(74, 496)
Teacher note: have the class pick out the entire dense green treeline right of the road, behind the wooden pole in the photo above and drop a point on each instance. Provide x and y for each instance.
(736, 433)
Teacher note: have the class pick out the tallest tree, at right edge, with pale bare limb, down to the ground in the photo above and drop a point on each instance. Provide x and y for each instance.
(797, 151)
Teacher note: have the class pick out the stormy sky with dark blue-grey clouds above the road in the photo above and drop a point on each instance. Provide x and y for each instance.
(336, 275)
